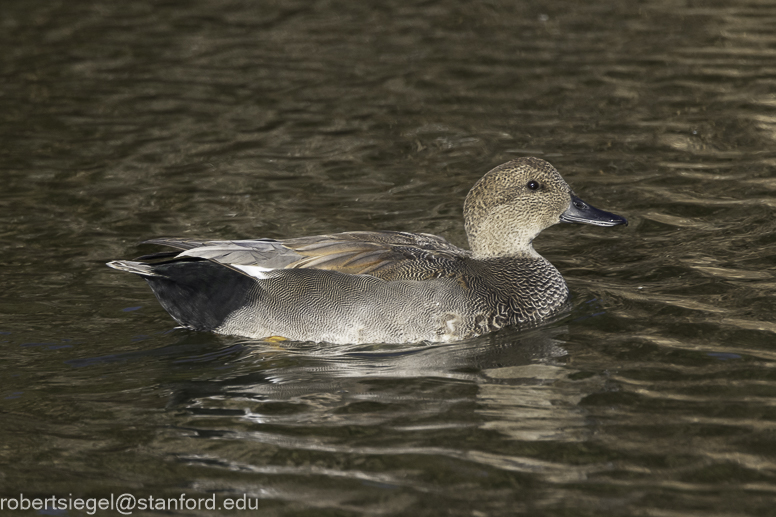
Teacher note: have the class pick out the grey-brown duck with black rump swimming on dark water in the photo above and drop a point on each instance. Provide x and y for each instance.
(381, 286)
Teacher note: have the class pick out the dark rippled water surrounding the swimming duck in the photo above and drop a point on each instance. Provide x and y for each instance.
(654, 395)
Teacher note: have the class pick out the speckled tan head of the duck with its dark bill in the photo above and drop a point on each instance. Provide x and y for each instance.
(514, 202)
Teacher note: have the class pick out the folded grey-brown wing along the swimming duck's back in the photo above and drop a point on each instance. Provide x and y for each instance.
(382, 254)
